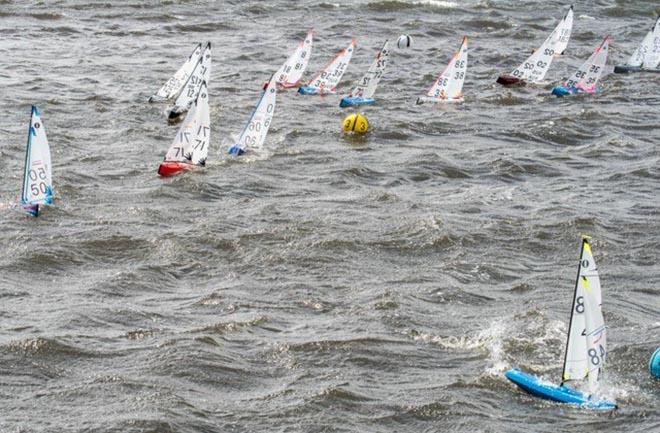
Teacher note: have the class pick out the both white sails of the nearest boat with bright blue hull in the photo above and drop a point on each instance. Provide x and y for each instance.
(585, 347)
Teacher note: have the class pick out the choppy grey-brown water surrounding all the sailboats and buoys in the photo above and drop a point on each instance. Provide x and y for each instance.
(381, 284)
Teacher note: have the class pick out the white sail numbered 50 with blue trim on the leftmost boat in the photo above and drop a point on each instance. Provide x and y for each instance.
(37, 179)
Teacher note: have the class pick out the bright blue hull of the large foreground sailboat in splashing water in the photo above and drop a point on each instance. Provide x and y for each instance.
(558, 393)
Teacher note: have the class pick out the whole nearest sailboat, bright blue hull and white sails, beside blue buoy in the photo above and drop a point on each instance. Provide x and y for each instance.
(586, 347)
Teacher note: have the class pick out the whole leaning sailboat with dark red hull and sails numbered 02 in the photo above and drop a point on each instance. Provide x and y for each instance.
(536, 66)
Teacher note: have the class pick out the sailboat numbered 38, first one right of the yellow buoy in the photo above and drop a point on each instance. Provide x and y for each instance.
(449, 85)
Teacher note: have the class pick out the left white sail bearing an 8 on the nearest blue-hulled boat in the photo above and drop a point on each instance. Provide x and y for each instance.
(586, 302)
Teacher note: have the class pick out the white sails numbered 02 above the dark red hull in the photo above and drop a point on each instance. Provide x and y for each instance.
(533, 69)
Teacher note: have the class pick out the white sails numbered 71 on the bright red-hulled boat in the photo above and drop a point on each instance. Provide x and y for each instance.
(191, 143)
